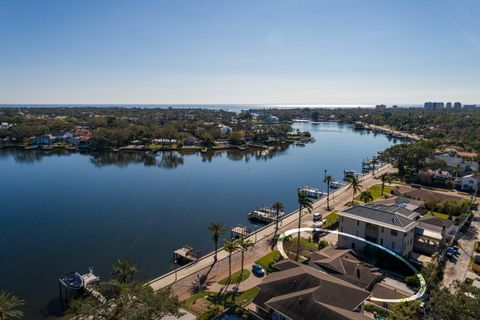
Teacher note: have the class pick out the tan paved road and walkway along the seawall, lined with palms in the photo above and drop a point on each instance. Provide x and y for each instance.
(183, 279)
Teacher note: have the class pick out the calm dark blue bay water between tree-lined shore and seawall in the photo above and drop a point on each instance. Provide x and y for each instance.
(62, 213)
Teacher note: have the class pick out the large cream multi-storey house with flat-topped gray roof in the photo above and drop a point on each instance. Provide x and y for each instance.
(390, 226)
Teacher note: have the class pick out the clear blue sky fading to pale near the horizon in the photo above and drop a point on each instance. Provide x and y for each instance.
(258, 51)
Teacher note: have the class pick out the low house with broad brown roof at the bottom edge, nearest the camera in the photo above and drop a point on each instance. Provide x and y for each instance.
(301, 292)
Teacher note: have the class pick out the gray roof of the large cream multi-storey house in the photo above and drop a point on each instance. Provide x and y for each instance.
(390, 215)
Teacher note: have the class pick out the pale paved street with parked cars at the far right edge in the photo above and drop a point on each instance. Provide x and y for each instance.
(458, 270)
